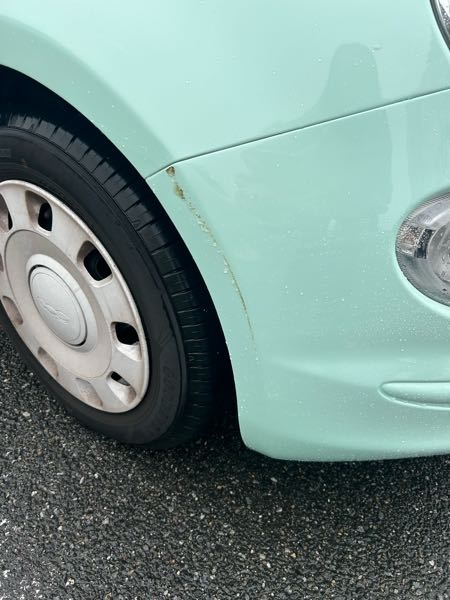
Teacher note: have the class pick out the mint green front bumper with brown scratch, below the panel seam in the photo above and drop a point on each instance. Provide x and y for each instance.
(303, 227)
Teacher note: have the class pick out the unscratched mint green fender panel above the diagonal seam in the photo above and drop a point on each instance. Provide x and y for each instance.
(167, 80)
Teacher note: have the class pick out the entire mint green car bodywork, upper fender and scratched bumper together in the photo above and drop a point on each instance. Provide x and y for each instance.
(287, 141)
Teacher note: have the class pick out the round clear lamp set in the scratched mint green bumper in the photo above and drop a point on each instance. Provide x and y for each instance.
(423, 249)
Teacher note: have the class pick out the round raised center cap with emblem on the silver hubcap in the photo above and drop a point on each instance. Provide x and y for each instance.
(58, 305)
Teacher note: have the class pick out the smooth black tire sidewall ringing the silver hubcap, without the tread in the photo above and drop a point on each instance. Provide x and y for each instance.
(36, 160)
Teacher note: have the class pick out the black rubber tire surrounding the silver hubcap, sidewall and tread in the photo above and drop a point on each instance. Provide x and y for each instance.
(60, 152)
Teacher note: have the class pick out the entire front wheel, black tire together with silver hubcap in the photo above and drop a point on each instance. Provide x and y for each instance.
(97, 289)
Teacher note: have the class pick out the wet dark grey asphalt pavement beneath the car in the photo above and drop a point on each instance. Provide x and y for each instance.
(85, 517)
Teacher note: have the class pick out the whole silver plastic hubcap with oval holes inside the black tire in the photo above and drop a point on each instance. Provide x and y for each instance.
(68, 301)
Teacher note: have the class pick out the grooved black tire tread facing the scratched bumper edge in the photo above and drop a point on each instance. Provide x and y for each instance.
(198, 324)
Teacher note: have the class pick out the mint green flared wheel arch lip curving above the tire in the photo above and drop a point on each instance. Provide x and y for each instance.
(44, 61)
